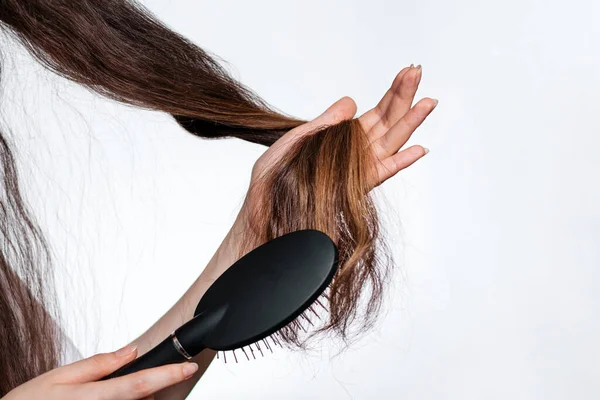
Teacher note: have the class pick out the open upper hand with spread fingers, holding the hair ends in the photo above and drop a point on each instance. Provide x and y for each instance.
(389, 126)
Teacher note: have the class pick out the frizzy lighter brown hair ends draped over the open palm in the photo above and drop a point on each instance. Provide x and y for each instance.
(323, 183)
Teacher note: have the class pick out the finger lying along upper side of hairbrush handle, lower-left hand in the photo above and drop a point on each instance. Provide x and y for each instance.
(96, 367)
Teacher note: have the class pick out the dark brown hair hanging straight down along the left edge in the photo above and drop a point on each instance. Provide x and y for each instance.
(29, 344)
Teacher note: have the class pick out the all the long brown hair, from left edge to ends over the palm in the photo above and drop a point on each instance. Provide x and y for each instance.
(119, 50)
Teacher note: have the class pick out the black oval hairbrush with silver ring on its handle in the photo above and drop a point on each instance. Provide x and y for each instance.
(258, 295)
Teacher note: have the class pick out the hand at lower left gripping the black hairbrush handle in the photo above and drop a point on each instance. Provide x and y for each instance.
(80, 380)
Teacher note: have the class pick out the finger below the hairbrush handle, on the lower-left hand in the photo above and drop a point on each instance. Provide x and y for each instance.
(142, 384)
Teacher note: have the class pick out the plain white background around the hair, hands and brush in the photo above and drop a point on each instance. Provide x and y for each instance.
(496, 293)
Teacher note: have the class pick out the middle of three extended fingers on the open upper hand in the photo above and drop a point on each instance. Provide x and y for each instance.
(399, 134)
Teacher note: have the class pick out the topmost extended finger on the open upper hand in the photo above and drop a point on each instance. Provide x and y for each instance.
(394, 104)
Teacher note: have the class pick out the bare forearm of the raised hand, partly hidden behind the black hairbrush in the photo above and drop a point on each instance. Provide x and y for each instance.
(184, 309)
